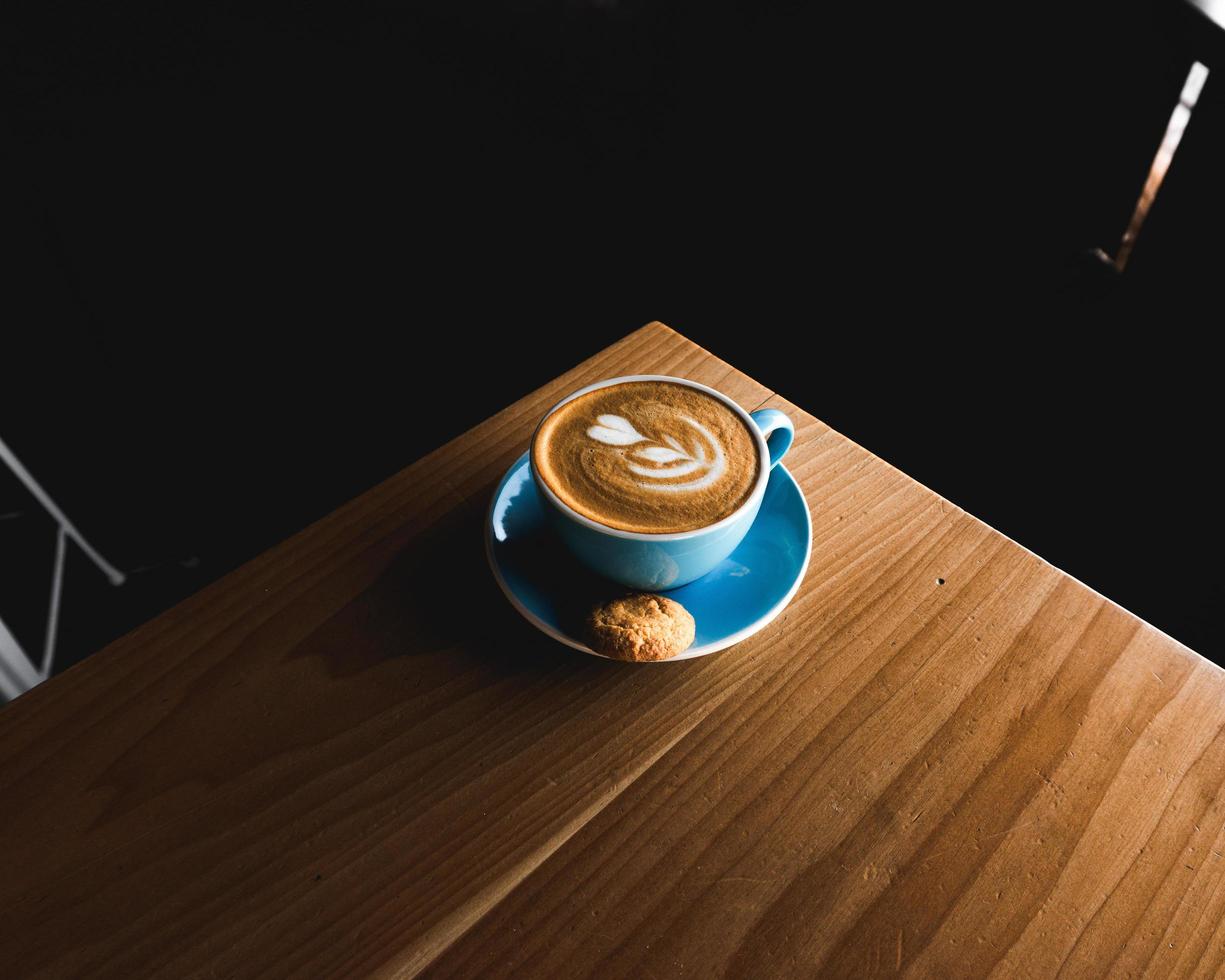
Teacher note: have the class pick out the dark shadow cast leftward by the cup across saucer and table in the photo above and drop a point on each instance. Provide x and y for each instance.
(439, 613)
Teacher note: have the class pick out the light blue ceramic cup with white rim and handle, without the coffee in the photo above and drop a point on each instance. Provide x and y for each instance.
(655, 563)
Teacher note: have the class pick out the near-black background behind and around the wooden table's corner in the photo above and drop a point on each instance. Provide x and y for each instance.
(263, 257)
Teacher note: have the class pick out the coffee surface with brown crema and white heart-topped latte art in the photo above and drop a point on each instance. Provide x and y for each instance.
(647, 456)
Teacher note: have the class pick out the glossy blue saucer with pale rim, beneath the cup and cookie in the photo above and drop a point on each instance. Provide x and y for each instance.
(742, 596)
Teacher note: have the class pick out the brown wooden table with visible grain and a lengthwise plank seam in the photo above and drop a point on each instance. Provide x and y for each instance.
(351, 758)
